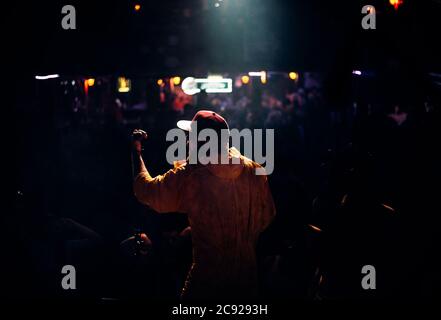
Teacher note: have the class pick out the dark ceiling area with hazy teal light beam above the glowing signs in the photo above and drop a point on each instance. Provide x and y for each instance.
(195, 36)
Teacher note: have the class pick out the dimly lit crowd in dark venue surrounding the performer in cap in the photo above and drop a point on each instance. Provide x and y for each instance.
(355, 183)
